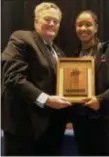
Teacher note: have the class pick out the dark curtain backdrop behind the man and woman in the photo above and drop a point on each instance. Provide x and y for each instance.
(18, 14)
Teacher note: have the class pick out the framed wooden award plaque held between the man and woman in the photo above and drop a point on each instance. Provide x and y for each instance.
(75, 78)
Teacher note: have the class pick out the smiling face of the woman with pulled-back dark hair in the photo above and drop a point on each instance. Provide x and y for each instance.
(86, 27)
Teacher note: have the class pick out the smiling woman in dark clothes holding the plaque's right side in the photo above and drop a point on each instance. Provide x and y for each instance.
(91, 119)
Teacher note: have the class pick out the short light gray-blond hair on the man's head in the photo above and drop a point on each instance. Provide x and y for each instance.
(45, 6)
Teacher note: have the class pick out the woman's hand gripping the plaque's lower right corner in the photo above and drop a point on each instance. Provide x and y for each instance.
(93, 103)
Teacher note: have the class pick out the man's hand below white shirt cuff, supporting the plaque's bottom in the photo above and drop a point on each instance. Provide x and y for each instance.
(57, 102)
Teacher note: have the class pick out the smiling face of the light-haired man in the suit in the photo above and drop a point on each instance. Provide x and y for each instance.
(47, 25)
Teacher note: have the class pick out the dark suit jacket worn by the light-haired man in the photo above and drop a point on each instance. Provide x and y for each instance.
(26, 72)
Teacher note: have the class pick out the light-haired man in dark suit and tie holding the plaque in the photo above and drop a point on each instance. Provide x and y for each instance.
(33, 117)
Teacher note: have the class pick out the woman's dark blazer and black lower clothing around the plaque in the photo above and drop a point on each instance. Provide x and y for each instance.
(92, 127)
